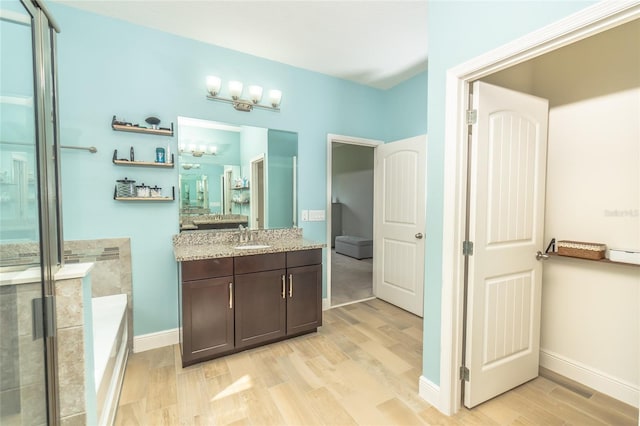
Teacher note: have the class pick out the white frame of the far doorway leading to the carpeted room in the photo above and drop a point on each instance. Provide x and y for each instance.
(350, 140)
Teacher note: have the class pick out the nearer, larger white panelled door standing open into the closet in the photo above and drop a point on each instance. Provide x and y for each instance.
(507, 192)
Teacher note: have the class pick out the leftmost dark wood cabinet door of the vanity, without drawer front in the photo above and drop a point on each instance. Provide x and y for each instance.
(207, 309)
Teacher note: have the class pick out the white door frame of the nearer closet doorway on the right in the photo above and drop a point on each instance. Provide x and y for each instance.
(585, 23)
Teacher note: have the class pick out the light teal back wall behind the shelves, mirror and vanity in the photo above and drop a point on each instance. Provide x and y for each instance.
(109, 67)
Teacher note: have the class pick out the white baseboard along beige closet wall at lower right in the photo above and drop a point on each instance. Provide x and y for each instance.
(588, 376)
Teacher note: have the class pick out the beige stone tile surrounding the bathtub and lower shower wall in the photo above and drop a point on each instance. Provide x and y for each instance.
(21, 389)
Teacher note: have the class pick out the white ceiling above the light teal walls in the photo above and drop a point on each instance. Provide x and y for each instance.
(377, 43)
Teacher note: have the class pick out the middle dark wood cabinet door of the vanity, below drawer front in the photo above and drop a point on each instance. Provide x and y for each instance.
(261, 307)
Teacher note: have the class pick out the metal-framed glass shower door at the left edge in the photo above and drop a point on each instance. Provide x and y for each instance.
(27, 349)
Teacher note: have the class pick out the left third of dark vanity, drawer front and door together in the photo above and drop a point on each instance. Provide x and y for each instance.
(207, 309)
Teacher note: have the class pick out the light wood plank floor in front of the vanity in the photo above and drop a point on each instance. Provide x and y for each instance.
(361, 368)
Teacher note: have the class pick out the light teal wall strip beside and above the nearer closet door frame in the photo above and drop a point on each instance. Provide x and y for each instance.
(459, 31)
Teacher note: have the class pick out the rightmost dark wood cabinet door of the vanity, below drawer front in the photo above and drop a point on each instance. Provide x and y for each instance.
(304, 299)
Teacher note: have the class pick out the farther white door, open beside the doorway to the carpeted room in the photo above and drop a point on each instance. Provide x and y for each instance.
(399, 200)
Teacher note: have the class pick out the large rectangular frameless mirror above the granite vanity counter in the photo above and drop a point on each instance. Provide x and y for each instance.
(236, 175)
